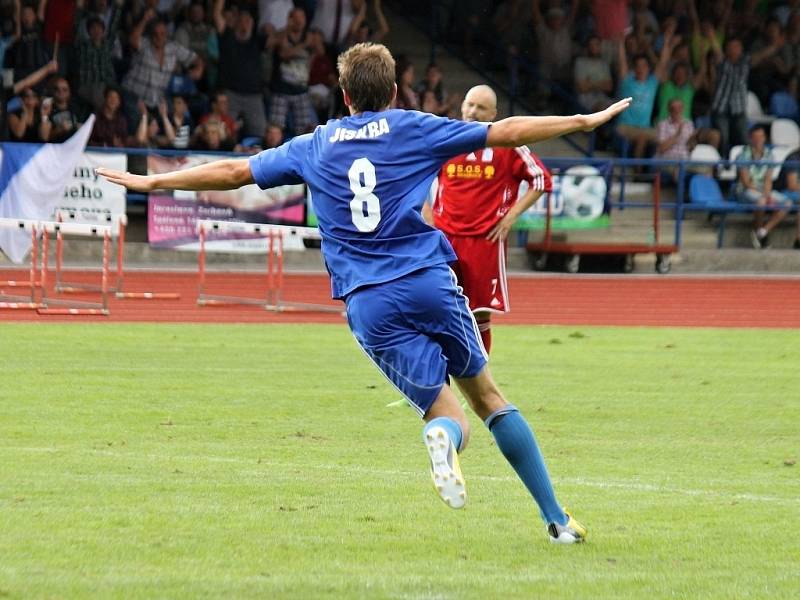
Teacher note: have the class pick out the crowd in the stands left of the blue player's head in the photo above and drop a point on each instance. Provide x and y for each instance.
(197, 74)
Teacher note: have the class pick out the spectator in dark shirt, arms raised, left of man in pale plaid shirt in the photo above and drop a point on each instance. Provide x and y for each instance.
(93, 49)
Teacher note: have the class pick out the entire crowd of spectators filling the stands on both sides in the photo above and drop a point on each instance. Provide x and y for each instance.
(244, 75)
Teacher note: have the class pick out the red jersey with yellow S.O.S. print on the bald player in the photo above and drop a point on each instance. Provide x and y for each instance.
(476, 190)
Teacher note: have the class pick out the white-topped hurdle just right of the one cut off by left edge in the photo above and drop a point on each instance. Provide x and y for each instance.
(65, 307)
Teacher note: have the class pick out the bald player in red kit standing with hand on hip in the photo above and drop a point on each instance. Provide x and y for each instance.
(476, 204)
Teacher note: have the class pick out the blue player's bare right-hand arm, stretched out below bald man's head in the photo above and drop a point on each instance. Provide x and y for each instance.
(517, 131)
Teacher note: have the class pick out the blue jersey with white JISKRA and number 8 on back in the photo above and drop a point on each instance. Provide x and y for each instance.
(369, 175)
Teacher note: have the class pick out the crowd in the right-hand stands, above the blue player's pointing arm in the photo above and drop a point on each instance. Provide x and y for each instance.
(706, 55)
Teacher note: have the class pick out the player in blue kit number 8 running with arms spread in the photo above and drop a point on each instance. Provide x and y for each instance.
(369, 174)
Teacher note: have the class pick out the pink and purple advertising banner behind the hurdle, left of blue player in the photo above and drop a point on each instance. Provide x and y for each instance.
(172, 216)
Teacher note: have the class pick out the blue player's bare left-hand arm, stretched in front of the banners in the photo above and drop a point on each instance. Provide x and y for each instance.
(218, 175)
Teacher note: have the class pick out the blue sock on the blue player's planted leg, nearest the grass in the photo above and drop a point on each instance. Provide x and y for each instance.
(517, 443)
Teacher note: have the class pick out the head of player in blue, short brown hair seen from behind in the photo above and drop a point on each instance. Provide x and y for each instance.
(366, 73)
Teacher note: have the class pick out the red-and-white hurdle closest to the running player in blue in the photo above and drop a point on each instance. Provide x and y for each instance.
(275, 235)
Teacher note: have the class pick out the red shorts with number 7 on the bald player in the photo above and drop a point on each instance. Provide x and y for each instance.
(481, 272)
